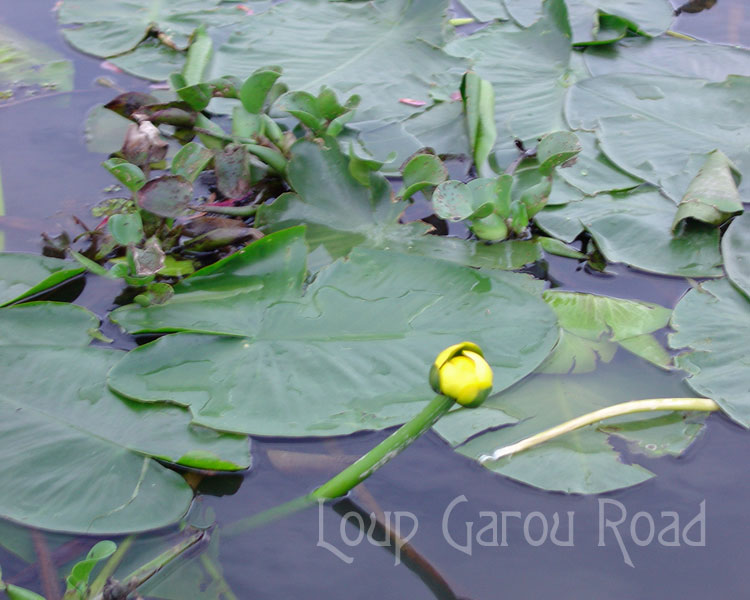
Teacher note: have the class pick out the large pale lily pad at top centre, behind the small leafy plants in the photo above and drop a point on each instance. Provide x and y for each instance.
(351, 47)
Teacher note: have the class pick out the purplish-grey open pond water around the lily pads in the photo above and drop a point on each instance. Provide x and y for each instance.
(48, 175)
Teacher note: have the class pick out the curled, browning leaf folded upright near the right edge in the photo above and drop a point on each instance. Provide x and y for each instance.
(712, 195)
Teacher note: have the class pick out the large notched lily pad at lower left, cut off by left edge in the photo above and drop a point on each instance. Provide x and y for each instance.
(82, 455)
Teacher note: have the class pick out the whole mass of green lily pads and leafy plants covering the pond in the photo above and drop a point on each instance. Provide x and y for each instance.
(324, 302)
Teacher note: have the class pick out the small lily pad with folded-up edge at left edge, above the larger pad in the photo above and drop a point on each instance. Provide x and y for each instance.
(24, 275)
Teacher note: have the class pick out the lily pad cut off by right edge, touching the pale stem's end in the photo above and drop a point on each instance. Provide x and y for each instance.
(713, 323)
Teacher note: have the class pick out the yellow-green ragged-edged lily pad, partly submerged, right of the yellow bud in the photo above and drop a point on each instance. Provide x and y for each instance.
(594, 326)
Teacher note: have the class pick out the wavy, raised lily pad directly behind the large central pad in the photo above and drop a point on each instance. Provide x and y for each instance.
(341, 213)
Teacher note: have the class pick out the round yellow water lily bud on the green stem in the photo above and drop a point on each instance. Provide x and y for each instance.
(460, 372)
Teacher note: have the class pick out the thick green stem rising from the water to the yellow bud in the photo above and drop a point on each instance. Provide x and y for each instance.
(357, 472)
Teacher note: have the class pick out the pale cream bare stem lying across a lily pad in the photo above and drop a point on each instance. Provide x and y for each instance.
(617, 410)
